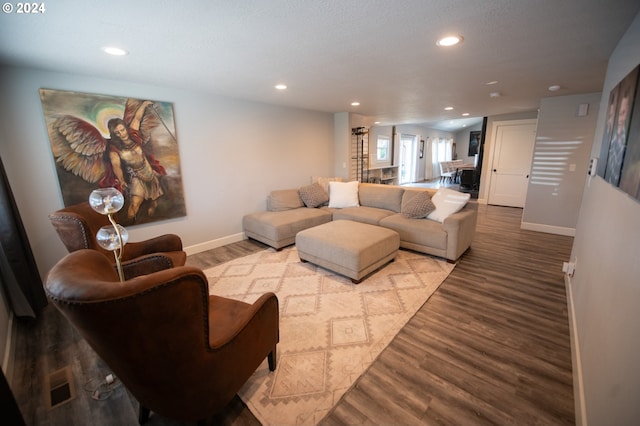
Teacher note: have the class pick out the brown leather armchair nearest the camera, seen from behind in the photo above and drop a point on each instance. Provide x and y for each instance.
(182, 353)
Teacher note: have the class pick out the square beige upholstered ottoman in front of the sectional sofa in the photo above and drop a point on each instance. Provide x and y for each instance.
(349, 248)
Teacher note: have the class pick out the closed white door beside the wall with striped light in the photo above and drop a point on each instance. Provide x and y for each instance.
(511, 165)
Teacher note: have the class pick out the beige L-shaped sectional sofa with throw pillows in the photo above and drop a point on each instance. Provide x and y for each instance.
(446, 231)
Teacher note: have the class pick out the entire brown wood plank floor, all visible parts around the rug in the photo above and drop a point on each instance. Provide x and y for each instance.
(491, 346)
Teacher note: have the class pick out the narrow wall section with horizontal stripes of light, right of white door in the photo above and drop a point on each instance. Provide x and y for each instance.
(553, 200)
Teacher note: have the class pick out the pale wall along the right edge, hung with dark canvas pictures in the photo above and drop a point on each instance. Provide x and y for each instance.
(605, 290)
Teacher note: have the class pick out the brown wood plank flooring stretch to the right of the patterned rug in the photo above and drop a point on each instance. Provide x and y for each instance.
(491, 346)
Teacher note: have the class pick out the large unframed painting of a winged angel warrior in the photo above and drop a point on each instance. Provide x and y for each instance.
(100, 141)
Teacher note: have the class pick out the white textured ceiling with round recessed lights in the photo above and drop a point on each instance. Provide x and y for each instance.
(381, 53)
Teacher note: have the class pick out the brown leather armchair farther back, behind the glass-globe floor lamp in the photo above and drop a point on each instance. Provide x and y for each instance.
(77, 227)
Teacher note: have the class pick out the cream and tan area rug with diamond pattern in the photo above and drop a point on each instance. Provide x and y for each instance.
(331, 330)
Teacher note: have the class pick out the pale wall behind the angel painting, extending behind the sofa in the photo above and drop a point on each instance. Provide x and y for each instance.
(232, 154)
